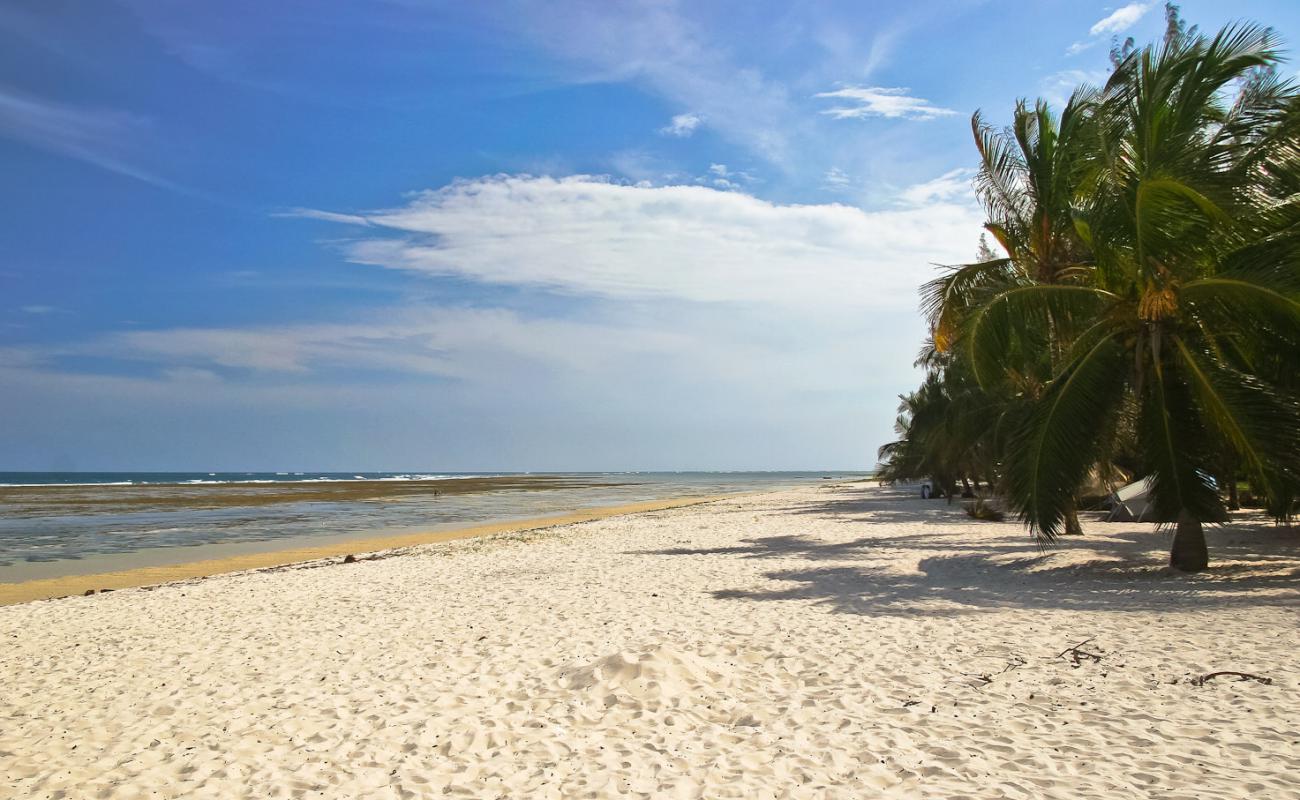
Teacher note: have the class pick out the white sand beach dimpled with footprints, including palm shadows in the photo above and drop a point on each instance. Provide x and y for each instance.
(833, 642)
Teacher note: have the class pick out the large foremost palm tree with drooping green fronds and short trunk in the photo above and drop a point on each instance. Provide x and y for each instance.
(1189, 313)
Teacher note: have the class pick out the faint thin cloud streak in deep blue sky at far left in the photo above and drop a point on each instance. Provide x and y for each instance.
(102, 137)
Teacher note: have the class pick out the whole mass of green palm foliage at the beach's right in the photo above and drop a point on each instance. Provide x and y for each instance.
(1149, 308)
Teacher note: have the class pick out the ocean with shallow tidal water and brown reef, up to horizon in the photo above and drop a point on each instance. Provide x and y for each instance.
(73, 524)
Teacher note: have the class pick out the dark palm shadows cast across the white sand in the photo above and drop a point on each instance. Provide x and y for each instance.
(969, 570)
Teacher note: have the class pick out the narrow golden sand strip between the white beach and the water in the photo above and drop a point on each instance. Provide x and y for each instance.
(146, 577)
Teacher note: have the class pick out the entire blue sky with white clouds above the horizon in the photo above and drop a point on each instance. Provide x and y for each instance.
(408, 235)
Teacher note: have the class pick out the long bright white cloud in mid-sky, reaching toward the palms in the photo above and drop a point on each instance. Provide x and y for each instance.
(593, 237)
